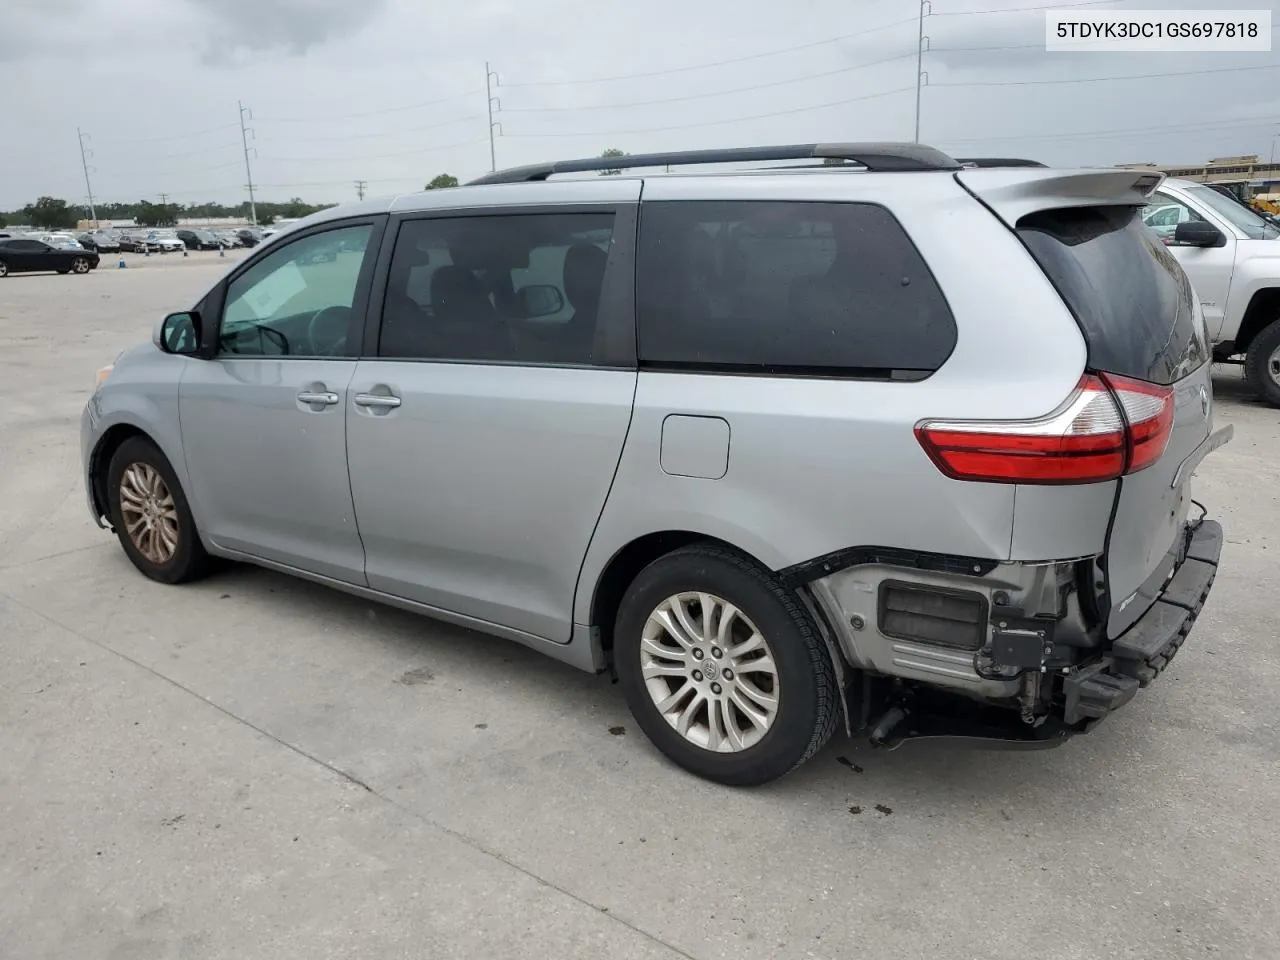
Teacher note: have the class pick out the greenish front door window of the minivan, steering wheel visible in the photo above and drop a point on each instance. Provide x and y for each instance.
(298, 301)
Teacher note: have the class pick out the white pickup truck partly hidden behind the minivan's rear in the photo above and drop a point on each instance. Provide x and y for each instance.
(1233, 259)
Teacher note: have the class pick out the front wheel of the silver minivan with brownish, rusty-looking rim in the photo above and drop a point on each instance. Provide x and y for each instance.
(152, 516)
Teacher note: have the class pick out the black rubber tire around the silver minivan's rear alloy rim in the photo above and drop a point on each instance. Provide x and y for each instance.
(807, 692)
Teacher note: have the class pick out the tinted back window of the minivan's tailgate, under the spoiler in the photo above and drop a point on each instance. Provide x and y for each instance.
(1131, 298)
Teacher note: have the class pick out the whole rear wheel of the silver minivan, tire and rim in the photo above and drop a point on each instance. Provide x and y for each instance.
(724, 669)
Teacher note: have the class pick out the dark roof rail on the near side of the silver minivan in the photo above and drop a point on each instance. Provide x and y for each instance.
(874, 157)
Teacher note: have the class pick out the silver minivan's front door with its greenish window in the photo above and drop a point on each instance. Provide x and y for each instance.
(263, 423)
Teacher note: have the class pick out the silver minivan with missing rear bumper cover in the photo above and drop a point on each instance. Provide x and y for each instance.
(957, 497)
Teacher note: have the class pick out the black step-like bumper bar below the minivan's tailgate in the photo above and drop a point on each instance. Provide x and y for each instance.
(1142, 652)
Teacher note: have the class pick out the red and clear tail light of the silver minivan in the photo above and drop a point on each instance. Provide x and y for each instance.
(1109, 427)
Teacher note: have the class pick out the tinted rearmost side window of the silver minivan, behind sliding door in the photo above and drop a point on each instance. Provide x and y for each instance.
(794, 289)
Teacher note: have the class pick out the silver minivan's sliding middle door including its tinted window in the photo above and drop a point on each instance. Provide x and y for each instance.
(486, 428)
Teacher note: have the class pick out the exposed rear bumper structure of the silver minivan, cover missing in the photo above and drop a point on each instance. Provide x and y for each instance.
(1022, 697)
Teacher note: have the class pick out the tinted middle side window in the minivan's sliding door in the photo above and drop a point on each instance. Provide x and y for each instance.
(516, 289)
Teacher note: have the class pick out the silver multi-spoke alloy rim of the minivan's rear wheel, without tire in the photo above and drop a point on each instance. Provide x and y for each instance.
(710, 673)
